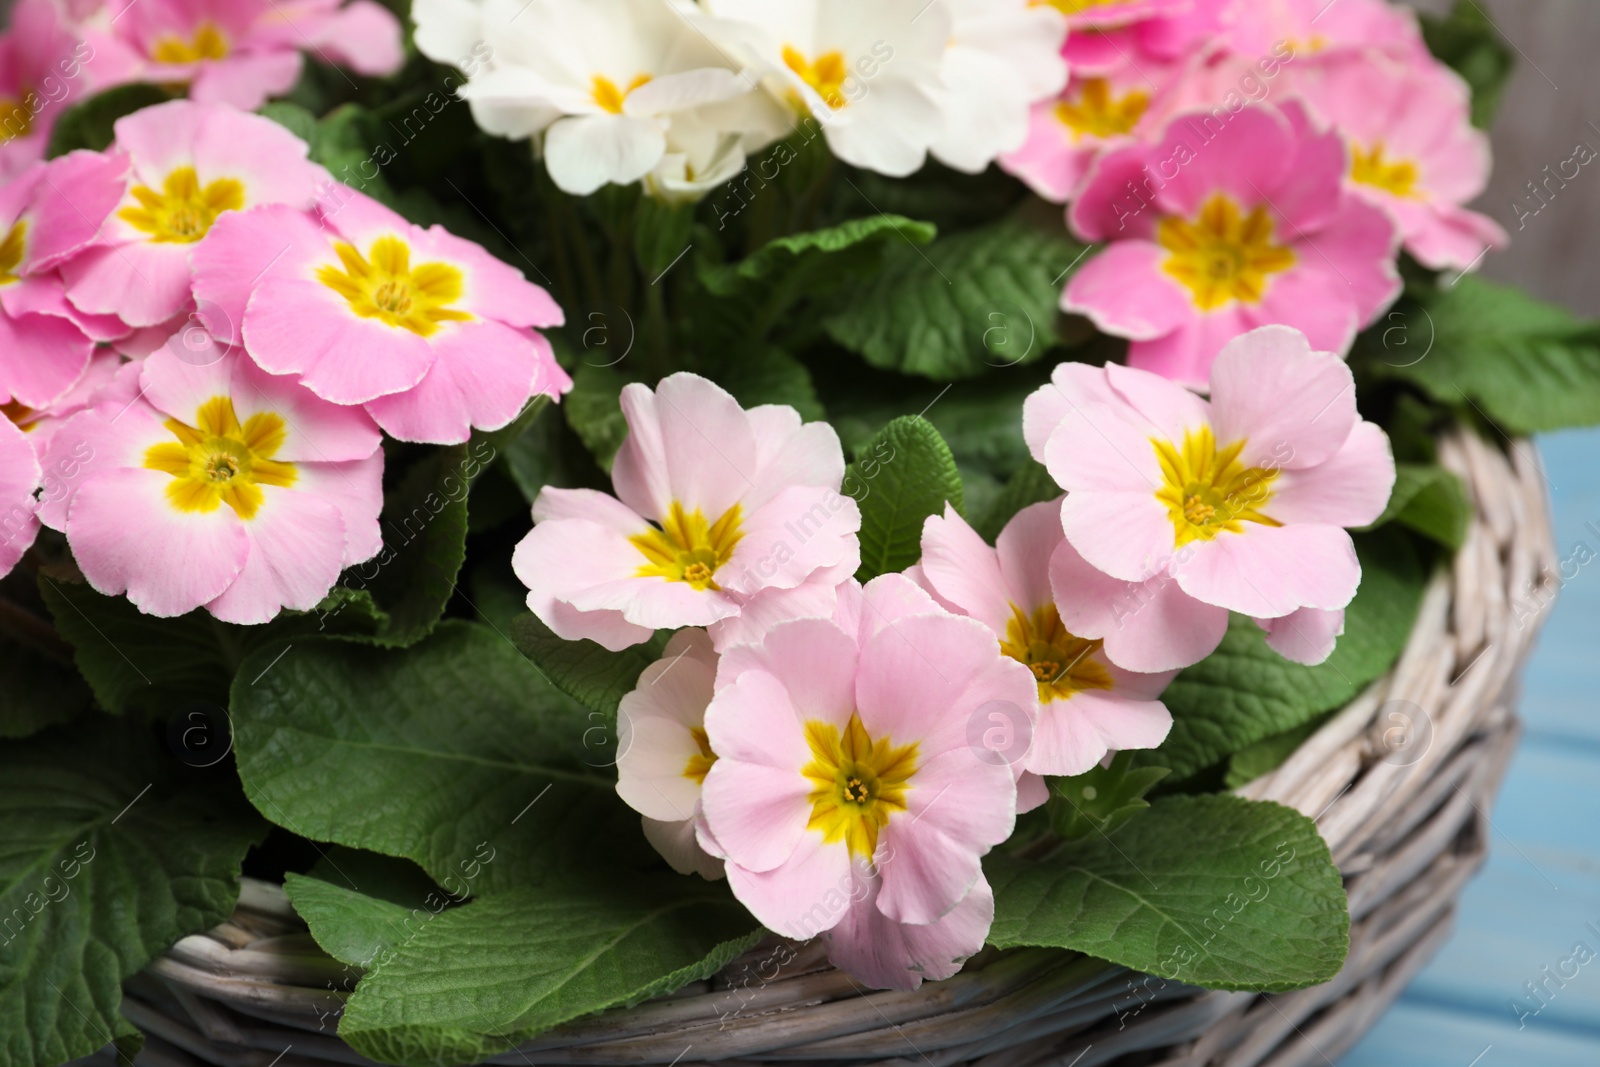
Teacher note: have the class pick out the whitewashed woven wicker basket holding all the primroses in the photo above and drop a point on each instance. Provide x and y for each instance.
(1407, 828)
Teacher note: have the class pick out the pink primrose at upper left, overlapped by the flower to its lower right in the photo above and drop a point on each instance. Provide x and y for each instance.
(190, 164)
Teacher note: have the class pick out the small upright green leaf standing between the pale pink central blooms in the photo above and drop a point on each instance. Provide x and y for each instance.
(903, 476)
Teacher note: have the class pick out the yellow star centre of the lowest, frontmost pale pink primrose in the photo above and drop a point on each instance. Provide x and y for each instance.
(857, 783)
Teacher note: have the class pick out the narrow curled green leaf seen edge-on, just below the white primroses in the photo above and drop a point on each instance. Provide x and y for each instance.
(756, 294)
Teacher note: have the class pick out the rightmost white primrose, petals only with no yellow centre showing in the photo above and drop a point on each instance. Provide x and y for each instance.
(1002, 58)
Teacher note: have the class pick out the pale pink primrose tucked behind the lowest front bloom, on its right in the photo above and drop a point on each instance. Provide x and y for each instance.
(1087, 705)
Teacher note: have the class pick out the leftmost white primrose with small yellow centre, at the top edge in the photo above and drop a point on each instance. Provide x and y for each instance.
(601, 79)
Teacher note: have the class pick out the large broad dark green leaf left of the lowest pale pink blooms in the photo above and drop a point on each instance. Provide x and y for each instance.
(444, 753)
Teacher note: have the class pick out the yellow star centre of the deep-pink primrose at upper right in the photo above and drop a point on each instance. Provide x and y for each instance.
(1223, 255)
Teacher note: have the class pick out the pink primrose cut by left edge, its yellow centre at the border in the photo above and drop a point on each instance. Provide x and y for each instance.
(47, 214)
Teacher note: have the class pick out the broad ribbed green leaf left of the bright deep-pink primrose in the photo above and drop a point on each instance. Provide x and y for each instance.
(967, 305)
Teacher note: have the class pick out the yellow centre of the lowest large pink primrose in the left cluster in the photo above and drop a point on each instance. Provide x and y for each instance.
(218, 462)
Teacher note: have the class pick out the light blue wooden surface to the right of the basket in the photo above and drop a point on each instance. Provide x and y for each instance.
(1526, 914)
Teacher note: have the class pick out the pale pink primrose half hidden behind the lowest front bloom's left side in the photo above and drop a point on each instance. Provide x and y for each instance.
(663, 754)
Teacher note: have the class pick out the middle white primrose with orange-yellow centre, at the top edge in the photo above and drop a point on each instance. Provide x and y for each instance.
(868, 73)
